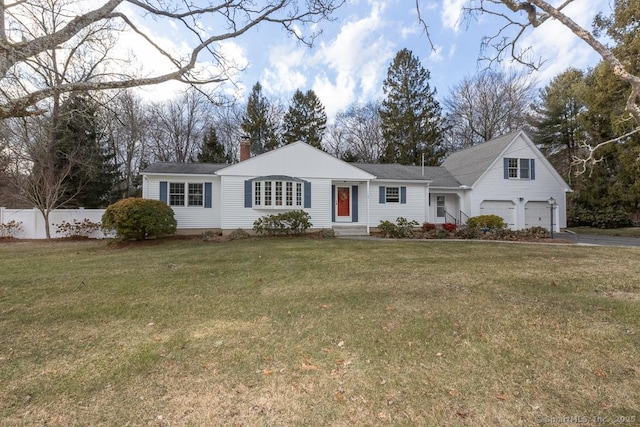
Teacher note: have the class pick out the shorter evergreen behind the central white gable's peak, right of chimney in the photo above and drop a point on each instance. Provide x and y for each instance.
(306, 119)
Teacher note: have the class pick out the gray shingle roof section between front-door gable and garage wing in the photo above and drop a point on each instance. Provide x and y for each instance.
(439, 176)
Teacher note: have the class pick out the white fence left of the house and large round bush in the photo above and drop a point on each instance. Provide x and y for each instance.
(32, 222)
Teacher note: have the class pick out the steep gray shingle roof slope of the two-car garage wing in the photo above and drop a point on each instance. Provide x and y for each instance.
(469, 164)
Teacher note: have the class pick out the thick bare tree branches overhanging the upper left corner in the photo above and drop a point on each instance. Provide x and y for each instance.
(239, 16)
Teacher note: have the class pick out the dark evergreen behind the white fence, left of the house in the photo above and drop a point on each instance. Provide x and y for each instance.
(79, 146)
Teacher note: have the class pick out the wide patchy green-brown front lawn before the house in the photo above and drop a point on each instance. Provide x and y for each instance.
(317, 332)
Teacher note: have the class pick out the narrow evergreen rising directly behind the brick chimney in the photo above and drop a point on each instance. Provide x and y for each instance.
(258, 123)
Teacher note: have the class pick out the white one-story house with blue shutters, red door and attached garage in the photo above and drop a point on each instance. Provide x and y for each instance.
(507, 176)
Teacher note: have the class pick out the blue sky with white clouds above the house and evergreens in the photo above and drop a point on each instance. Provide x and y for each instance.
(349, 61)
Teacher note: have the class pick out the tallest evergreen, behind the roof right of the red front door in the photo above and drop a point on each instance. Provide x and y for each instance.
(412, 122)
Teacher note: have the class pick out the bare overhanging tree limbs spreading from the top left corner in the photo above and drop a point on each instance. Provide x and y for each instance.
(229, 19)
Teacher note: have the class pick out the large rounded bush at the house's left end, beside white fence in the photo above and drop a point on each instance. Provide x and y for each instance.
(139, 219)
